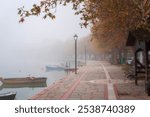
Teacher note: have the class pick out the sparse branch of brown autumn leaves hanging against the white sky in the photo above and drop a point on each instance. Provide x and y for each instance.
(47, 7)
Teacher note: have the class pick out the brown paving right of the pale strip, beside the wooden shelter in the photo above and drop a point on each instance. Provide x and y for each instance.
(125, 88)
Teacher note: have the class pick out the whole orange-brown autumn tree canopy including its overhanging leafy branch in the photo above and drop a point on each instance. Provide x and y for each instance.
(111, 20)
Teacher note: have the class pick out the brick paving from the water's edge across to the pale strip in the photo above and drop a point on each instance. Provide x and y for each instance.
(88, 84)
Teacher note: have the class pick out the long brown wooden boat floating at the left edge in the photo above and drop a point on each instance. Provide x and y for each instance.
(23, 80)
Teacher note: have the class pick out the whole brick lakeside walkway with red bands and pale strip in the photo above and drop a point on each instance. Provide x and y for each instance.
(96, 81)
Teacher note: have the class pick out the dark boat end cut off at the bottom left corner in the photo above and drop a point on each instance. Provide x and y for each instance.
(8, 96)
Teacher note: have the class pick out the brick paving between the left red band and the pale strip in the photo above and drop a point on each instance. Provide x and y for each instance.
(90, 87)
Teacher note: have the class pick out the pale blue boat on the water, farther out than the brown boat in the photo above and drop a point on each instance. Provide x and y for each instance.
(54, 68)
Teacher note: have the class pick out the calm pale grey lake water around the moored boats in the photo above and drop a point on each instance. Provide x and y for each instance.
(31, 68)
